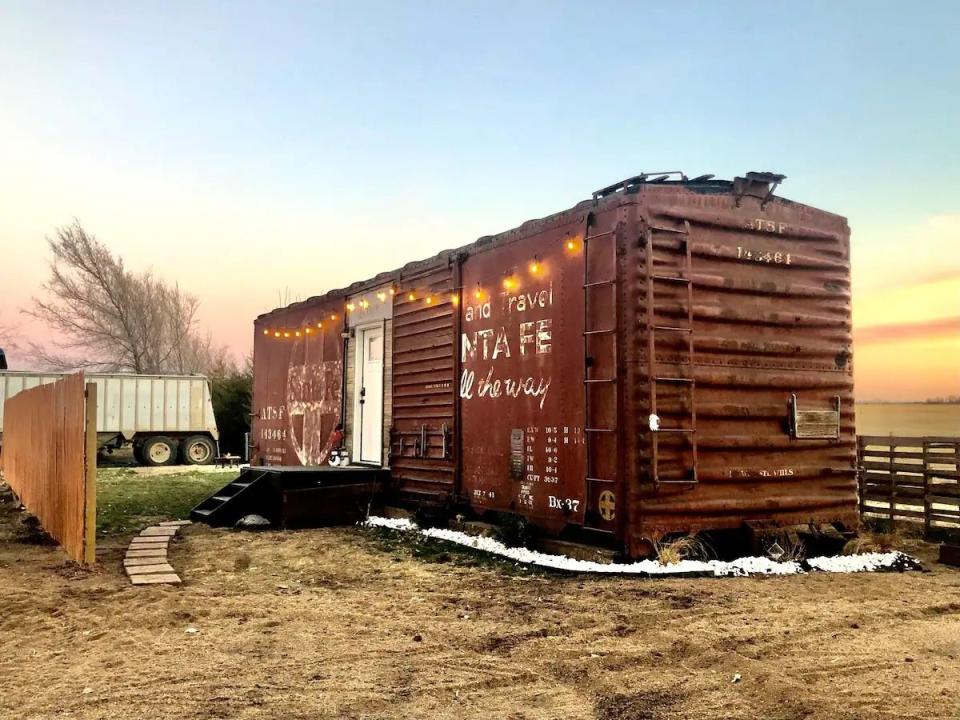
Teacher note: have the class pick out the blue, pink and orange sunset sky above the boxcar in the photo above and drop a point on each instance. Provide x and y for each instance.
(258, 153)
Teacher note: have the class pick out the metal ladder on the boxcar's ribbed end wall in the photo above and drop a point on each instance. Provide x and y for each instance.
(685, 278)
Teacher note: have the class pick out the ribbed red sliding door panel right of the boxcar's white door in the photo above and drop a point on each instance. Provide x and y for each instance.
(423, 385)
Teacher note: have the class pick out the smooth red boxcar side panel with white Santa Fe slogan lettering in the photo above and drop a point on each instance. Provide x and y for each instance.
(521, 380)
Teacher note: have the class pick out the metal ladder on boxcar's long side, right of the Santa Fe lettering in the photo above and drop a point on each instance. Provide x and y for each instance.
(592, 429)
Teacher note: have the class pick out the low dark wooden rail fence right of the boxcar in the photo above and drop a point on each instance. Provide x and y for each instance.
(914, 479)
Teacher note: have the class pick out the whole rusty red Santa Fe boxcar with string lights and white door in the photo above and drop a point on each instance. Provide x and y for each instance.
(671, 355)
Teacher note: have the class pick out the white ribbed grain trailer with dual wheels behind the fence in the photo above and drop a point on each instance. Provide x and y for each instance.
(165, 418)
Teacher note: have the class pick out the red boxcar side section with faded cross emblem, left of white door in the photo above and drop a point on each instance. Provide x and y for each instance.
(298, 361)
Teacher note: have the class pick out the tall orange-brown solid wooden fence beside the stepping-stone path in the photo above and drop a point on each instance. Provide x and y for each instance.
(49, 459)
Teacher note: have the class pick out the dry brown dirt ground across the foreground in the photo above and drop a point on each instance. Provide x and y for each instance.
(339, 623)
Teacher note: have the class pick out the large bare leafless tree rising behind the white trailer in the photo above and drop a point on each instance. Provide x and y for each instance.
(109, 318)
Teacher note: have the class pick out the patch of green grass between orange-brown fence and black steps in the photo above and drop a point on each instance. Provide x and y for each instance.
(130, 499)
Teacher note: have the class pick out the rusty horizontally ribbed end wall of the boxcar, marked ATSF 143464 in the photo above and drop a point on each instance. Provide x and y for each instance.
(771, 309)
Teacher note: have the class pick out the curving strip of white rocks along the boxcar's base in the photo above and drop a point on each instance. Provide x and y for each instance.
(867, 562)
